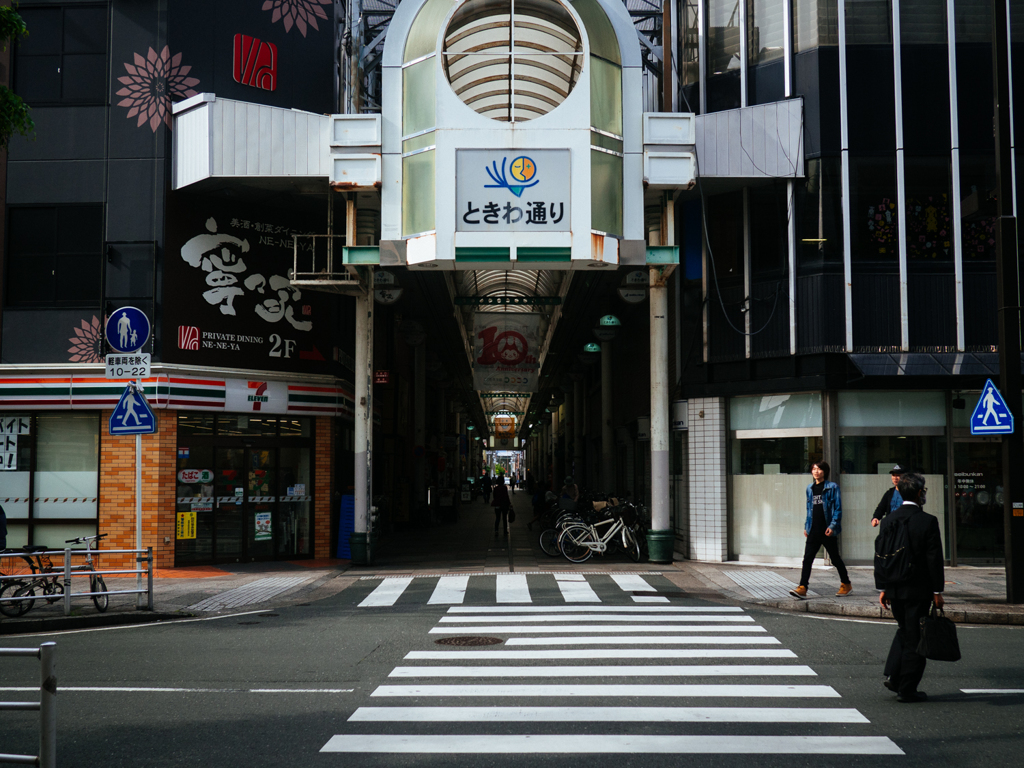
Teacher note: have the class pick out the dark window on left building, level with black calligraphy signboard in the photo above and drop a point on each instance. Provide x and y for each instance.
(54, 257)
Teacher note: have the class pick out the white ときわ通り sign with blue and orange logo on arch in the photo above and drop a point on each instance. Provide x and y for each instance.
(504, 191)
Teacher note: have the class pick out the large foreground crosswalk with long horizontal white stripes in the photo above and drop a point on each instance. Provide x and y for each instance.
(656, 671)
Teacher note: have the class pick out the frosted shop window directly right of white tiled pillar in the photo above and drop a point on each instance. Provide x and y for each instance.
(774, 443)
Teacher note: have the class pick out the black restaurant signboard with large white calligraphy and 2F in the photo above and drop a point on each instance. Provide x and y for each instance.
(228, 300)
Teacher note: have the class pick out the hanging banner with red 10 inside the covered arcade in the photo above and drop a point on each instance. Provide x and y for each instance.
(505, 350)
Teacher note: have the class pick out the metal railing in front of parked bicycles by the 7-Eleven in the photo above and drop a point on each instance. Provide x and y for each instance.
(67, 570)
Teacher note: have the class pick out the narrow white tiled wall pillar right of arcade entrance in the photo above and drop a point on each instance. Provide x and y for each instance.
(708, 480)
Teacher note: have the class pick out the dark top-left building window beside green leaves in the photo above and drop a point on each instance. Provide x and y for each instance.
(64, 58)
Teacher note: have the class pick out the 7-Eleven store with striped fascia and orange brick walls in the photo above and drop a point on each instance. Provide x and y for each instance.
(239, 470)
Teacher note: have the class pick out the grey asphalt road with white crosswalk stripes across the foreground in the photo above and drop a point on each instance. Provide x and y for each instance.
(285, 688)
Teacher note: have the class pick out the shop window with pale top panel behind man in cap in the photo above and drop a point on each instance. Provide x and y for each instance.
(877, 432)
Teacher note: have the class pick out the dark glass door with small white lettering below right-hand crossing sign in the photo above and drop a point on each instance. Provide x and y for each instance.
(978, 495)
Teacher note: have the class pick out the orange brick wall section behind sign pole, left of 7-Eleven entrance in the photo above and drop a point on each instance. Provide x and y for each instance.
(117, 491)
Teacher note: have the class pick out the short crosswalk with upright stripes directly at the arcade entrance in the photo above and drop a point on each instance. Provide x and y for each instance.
(513, 589)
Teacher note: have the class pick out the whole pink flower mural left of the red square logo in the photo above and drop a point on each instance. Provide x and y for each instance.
(151, 84)
